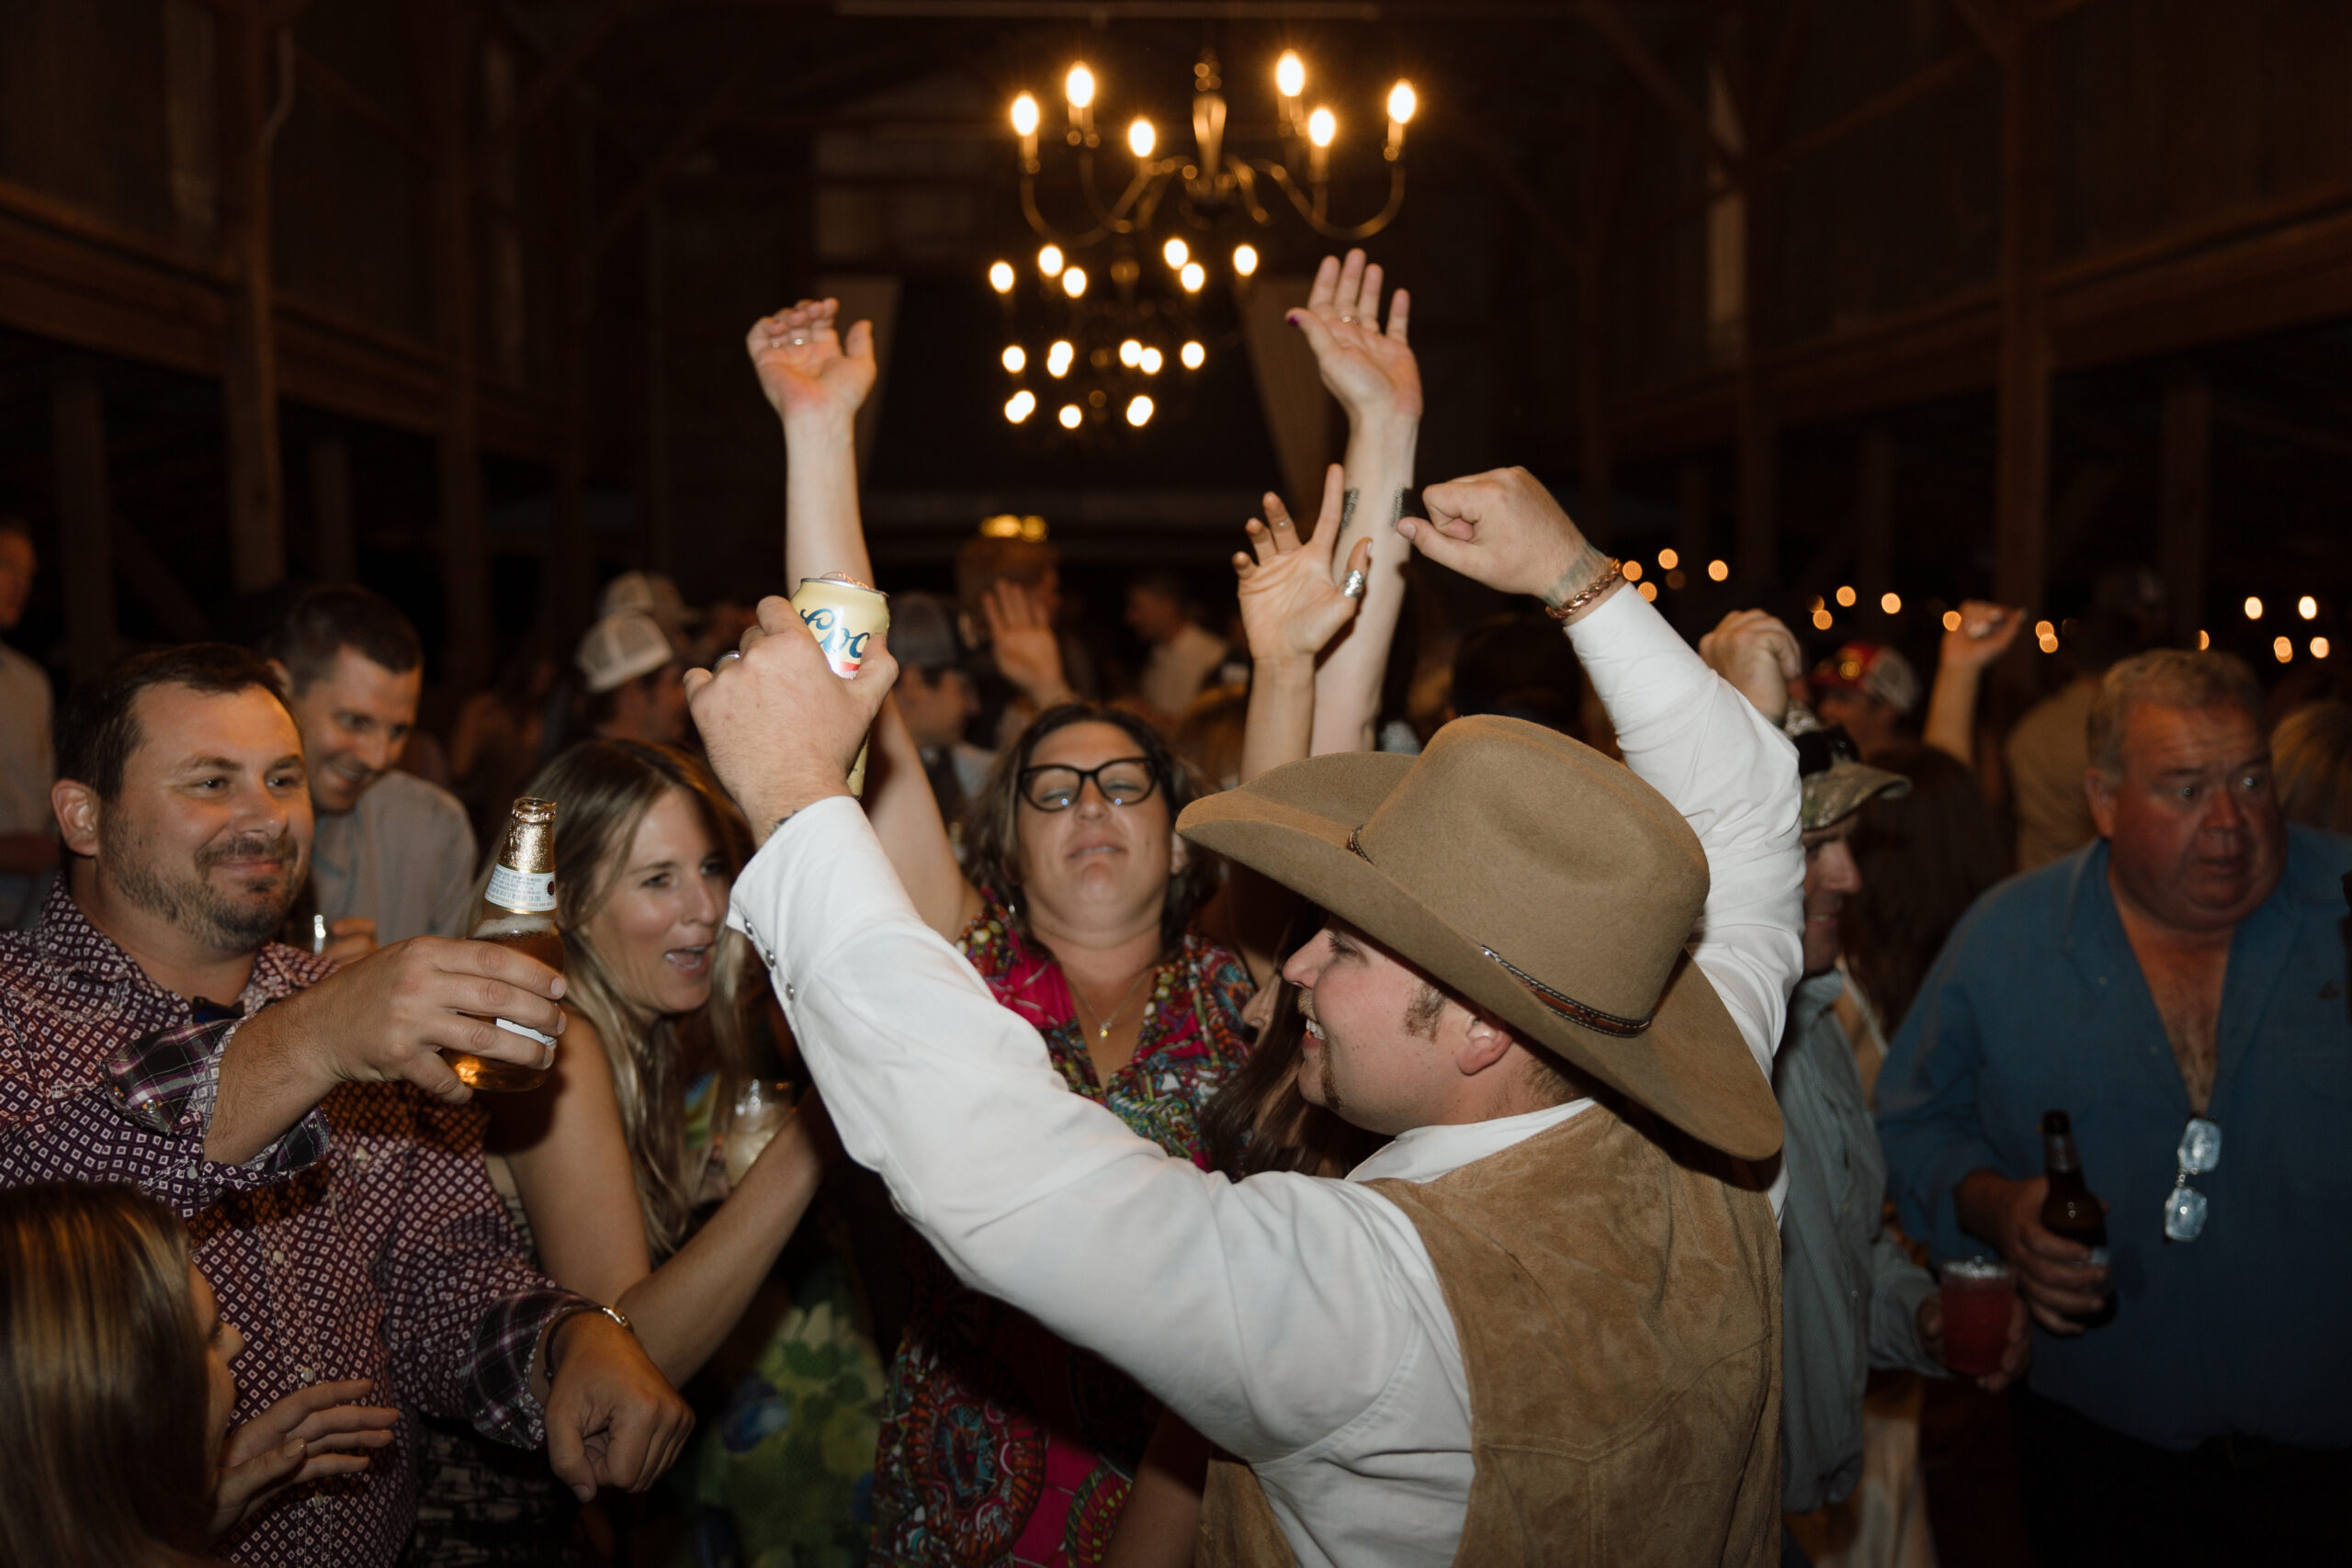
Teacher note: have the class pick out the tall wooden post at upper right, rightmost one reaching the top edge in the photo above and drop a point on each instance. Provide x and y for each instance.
(2024, 377)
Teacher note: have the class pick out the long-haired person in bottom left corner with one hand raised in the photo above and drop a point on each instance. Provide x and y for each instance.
(116, 1393)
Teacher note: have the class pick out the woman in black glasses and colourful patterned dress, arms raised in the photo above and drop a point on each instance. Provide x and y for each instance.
(1076, 904)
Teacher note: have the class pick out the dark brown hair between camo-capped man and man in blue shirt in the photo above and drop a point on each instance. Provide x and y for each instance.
(1925, 859)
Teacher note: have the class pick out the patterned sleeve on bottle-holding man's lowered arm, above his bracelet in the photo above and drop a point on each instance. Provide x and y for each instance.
(465, 1306)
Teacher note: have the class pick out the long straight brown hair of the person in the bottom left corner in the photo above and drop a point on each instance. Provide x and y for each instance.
(105, 1391)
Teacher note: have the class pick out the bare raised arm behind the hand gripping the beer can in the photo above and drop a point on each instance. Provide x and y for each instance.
(817, 377)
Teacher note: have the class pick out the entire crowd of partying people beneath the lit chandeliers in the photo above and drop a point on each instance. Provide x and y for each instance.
(1307, 1099)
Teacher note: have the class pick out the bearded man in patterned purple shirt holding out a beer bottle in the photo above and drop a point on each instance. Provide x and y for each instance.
(305, 1123)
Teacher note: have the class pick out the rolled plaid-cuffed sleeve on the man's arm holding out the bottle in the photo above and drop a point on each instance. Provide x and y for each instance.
(142, 1120)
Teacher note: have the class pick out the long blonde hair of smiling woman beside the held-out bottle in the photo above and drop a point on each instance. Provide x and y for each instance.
(603, 791)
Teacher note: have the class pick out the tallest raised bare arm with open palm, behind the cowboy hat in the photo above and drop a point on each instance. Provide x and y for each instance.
(1377, 382)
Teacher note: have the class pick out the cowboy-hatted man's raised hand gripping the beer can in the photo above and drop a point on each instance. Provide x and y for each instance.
(780, 725)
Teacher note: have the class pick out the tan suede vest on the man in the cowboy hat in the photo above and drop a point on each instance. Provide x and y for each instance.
(1619, 1313)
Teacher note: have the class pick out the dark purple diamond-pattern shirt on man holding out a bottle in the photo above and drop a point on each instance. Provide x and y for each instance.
(366, 1242)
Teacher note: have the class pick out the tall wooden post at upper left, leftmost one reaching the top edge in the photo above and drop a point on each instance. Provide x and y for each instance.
(258, 540)
